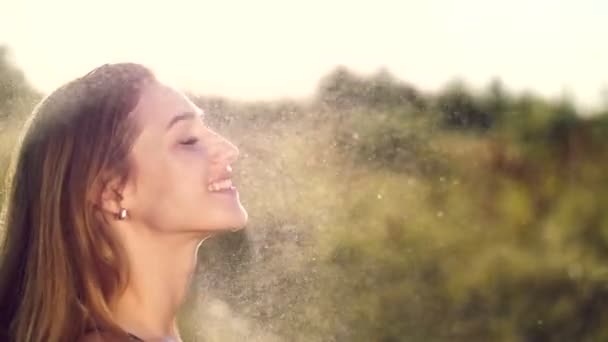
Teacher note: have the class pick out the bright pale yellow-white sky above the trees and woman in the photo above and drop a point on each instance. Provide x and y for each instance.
(267, 49)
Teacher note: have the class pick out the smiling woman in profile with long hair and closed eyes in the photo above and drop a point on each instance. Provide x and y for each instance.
(116, 182)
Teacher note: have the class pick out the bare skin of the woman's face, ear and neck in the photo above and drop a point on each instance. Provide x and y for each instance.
(170, 208)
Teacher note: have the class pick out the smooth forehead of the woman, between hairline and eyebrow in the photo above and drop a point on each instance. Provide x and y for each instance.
(158, 103)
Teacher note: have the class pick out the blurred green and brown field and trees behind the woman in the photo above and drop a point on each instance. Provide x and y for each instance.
(379, 212)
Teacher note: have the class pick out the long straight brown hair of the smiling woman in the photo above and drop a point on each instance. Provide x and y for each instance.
(59, 269)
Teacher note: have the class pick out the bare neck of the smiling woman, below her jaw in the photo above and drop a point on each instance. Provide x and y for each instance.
(161, 268)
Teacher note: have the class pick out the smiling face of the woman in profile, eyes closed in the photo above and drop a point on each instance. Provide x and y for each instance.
(176, 161)
